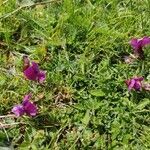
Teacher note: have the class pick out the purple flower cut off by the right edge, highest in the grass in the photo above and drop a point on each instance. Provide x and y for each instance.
(138, 44)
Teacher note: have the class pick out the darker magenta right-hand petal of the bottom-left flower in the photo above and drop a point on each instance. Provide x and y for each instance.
(29, 108)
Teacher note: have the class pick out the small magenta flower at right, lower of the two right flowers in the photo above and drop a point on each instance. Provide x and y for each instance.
(134, 83)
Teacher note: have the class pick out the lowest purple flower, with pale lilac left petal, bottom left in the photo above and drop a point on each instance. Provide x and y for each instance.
(26, 107)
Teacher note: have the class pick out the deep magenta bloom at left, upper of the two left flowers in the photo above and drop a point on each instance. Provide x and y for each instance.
(34, 73)
